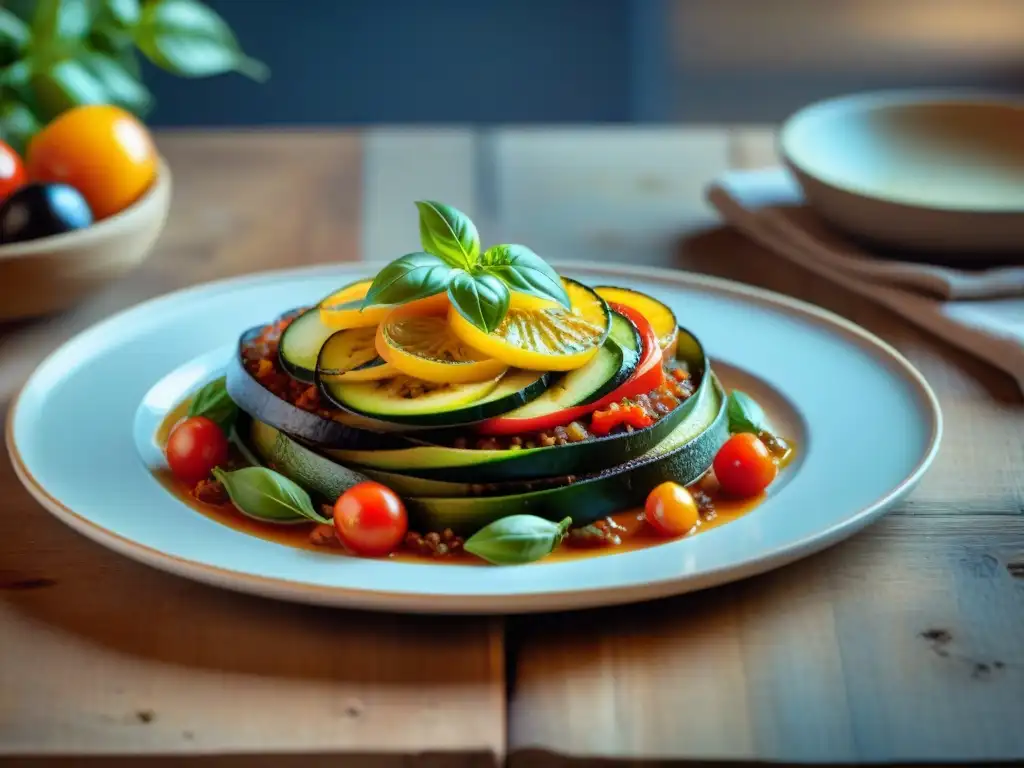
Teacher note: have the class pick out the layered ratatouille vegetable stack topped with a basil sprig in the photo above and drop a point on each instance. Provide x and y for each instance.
(486, 392)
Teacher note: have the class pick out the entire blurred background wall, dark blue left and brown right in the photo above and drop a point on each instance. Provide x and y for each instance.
(359, 62)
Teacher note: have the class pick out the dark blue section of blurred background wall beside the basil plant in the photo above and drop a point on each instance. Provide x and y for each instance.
(355, 62)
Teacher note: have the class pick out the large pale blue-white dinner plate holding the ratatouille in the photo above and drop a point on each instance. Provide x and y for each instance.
(866, 421)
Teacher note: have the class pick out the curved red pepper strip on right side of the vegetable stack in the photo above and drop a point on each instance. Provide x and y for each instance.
(648, 376)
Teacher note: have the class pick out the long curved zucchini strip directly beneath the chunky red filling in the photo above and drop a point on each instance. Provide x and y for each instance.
(435, 461)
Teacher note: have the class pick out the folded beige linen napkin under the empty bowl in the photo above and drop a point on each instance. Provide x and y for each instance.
(982, 312)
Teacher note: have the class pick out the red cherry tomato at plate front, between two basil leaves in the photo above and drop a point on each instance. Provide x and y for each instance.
(370, 520)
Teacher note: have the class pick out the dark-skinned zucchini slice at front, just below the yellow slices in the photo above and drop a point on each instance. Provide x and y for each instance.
(414, 403)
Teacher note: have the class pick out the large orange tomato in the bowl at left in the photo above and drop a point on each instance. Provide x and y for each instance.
(104, 152)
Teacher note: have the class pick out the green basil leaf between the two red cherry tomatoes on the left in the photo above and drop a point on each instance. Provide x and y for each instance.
(268, 496)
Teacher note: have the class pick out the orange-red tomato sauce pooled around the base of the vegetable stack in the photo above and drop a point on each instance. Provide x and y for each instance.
(632, 531)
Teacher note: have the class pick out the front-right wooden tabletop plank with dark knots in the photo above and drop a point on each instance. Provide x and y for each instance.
(902, 645)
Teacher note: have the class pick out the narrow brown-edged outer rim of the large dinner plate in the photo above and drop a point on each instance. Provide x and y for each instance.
(411, 603)
